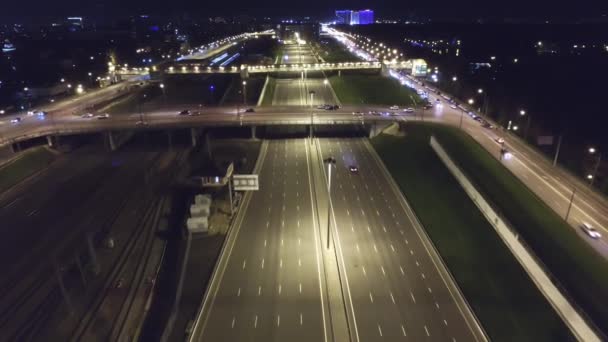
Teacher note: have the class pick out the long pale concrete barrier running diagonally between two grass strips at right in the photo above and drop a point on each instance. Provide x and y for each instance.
(541, 279)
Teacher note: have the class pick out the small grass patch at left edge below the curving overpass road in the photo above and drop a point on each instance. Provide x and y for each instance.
(31, 162)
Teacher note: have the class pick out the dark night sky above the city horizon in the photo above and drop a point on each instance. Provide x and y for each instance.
(29, 9)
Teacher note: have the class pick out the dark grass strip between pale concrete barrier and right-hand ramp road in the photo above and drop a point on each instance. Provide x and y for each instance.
(574, 264)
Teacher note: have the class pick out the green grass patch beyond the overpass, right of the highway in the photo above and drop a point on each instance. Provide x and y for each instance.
(365, 89)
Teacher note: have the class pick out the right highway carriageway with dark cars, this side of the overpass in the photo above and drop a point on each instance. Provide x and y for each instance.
(397, 291)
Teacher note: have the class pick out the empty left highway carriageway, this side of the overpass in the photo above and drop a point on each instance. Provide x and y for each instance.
(271, 287)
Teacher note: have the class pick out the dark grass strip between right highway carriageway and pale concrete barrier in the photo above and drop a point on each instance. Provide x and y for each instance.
(505, 300)
